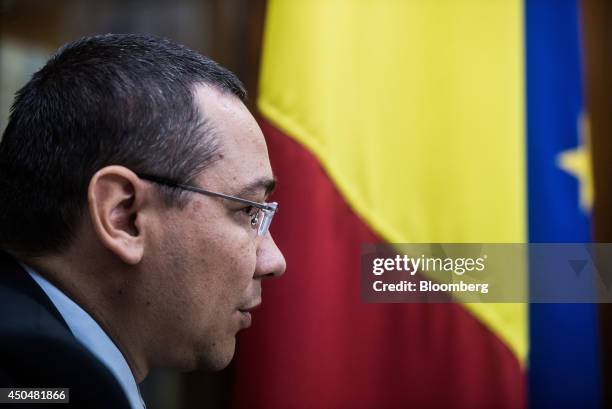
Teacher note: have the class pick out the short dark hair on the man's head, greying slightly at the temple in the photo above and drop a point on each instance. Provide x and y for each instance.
(113, 99)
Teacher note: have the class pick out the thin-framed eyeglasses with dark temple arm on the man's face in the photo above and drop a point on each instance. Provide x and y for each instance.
(261, 224)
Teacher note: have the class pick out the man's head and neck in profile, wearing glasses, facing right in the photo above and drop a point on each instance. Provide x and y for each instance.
(135, 181)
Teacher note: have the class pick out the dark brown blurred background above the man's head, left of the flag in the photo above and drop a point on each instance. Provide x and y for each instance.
(228, 31)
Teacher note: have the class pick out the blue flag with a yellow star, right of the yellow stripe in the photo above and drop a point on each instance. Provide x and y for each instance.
(564, 367)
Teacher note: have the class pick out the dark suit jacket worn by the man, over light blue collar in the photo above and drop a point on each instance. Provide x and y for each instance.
(37, 348)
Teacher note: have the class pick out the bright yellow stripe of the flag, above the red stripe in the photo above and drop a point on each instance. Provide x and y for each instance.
(415, 109)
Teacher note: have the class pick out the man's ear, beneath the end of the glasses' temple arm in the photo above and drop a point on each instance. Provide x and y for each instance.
(116, 197)
